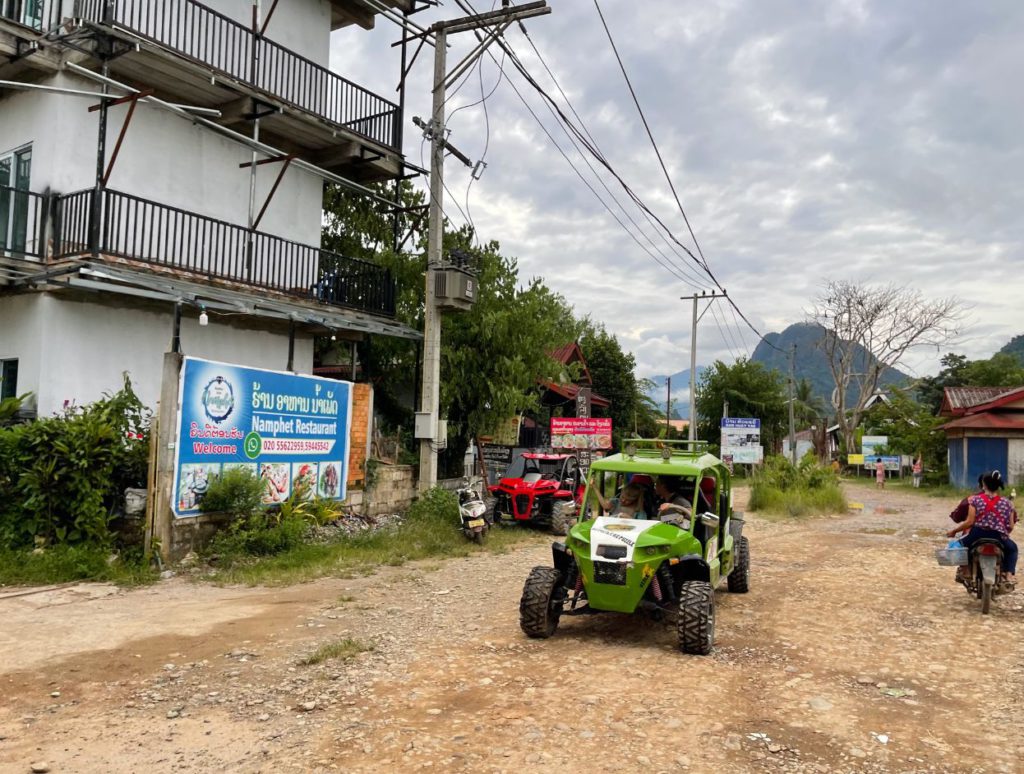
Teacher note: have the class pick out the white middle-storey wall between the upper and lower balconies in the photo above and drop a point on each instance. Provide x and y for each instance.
(164, 158)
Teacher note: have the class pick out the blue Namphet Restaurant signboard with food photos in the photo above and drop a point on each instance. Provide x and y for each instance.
(288, 431)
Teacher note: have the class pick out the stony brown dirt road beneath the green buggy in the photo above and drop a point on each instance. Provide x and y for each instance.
(852, 653)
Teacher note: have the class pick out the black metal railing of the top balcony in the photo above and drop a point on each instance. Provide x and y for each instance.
(205, 36)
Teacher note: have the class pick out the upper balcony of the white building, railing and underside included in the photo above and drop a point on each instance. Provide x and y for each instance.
(194, 54)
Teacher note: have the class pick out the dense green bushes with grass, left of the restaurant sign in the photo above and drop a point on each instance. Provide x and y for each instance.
(62, 493)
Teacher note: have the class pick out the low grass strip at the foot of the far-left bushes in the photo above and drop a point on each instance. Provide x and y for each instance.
(62, 565)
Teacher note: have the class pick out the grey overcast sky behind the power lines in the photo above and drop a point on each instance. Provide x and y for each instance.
(874, 142)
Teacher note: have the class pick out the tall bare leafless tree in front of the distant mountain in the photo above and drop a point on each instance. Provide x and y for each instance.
(869, 330)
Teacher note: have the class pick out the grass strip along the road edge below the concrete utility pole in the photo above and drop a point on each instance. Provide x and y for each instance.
(431, 532)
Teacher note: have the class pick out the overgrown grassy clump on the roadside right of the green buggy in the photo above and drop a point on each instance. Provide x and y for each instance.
(805, 490)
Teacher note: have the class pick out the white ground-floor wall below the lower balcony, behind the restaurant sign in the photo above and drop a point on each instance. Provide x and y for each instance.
(91, 342)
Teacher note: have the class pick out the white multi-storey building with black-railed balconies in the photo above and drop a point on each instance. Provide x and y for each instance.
(129, 219)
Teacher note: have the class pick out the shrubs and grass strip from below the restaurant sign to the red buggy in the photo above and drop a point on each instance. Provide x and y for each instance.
(270, 549)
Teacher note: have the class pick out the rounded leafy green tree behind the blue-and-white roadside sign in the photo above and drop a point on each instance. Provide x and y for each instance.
(752, 392)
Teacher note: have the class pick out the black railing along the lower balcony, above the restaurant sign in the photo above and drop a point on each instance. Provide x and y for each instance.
(121, 228)
